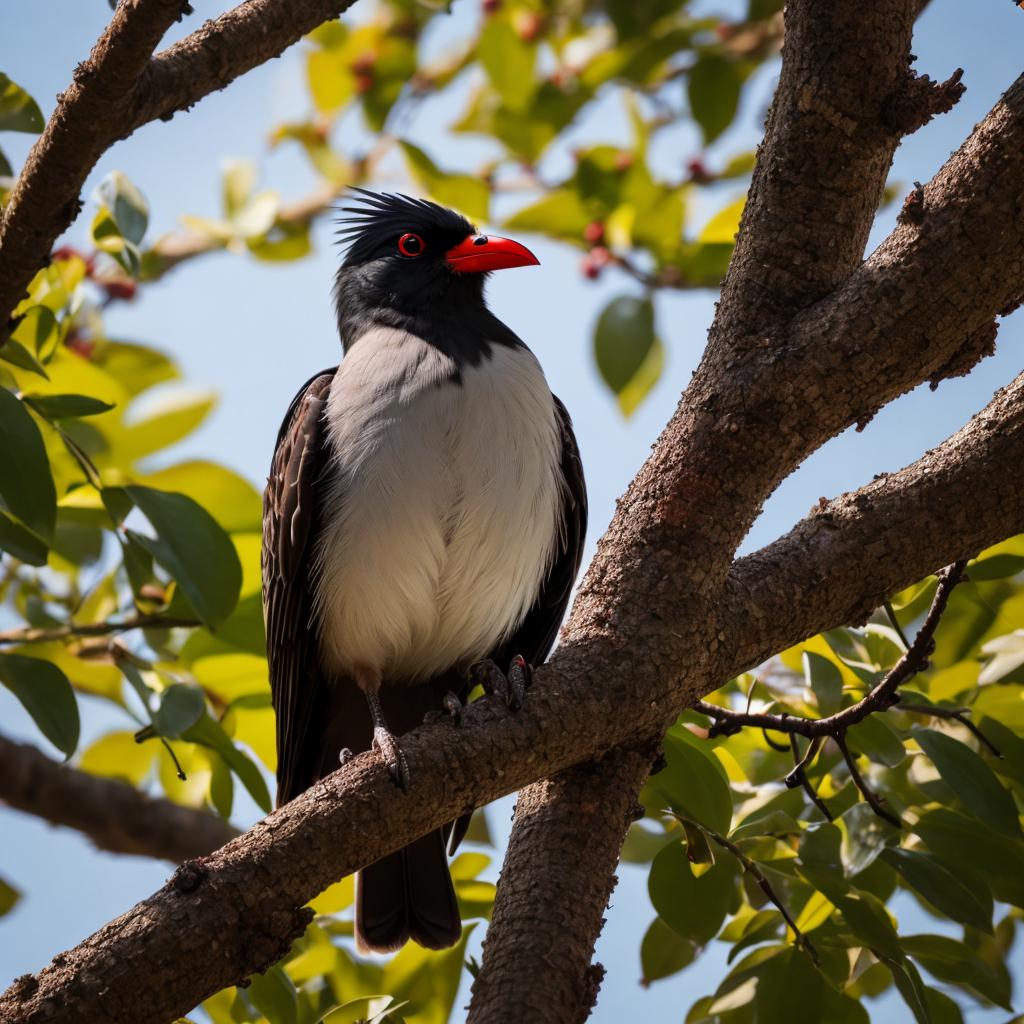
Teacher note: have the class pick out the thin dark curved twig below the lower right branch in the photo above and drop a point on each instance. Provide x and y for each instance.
(882, 697)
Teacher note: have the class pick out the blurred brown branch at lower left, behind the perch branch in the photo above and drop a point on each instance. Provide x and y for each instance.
(115, 816)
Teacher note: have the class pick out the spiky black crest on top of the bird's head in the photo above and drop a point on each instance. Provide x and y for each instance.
(382, 219)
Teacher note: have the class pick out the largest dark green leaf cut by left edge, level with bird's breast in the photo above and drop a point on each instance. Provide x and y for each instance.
(26, 484)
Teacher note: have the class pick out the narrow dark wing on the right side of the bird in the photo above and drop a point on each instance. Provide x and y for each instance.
(536, 636)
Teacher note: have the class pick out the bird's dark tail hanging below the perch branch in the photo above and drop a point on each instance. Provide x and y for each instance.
(408, 895)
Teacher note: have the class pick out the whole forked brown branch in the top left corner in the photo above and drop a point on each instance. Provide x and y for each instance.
(118, 91)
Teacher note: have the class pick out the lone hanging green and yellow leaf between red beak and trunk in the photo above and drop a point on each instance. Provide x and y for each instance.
(628, 354)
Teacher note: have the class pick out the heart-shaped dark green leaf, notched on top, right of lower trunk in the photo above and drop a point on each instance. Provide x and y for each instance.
(695, 908)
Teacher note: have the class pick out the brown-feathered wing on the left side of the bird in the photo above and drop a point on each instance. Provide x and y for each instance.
(291, 522)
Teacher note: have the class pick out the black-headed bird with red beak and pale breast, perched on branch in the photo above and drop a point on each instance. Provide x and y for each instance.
(423, 527)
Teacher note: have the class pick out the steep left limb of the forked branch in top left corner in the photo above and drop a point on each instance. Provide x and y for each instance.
(89, 118)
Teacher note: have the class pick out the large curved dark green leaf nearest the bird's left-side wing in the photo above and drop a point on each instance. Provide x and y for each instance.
(194, 549)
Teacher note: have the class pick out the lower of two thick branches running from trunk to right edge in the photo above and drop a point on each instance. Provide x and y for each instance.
(958, 499)
